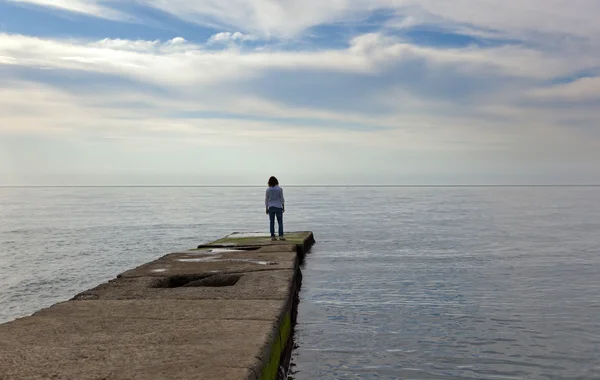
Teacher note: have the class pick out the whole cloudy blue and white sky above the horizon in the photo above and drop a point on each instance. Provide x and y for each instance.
(360, 92)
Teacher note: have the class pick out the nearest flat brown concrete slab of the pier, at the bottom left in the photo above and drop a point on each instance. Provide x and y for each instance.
(103, 345)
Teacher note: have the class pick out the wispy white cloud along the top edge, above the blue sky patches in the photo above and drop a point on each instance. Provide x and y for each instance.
(532, 20)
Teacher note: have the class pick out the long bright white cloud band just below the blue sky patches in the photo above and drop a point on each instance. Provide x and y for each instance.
(177, 62)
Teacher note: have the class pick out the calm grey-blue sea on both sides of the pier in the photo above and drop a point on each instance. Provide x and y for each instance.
(404, 283)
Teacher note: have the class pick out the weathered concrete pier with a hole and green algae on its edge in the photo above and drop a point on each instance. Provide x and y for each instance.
(225, 310)
